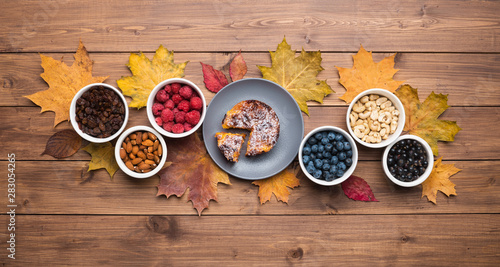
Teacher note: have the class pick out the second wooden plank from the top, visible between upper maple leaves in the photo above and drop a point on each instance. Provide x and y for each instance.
(469, 80)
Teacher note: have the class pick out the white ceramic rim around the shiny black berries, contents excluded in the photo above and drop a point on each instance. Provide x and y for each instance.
(430, 160)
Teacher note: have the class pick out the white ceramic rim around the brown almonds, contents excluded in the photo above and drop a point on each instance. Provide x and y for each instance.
(122, 165)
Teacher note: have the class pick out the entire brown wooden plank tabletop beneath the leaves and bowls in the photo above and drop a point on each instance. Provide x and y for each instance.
(449, 47)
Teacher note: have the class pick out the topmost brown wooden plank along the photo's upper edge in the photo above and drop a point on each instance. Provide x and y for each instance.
(445, 26)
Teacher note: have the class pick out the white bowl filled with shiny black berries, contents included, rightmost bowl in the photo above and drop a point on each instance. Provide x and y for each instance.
(408, 161)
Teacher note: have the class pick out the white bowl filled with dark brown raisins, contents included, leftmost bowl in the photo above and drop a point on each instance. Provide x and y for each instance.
(99, 112)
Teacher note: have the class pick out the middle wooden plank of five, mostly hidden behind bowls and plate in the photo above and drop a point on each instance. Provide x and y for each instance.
(24, 125)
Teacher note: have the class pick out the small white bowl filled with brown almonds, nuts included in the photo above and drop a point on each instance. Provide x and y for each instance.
(140, 152)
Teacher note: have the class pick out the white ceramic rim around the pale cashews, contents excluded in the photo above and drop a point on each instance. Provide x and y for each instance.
(396, 103)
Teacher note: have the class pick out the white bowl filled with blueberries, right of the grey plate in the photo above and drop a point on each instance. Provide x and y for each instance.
(328, 155)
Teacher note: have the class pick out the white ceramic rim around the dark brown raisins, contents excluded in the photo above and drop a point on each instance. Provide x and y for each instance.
(72, 114)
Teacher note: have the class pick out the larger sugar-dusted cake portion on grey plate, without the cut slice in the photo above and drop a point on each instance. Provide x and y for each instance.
(260, 119)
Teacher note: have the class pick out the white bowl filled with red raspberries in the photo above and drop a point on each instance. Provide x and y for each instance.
(176, 107)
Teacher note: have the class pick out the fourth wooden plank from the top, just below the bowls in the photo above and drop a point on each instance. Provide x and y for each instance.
(65, 187)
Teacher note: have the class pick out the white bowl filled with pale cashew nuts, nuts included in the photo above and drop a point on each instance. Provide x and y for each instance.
(375, 118)
